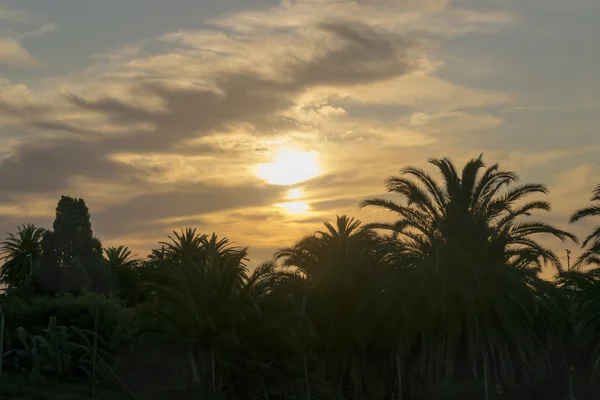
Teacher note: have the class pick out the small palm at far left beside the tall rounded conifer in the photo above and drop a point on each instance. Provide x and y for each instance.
(20, 252)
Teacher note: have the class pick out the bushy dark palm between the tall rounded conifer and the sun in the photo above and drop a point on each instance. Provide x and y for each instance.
(204, 294)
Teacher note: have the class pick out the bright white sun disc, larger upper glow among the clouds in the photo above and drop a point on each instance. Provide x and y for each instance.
(289, 167)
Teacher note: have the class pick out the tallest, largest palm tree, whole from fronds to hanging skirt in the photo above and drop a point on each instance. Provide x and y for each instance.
(468, 287)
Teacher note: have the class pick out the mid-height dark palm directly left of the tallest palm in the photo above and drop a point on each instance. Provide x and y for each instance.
(342, 267)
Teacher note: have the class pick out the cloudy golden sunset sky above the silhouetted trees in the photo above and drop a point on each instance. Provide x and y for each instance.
(260, 119)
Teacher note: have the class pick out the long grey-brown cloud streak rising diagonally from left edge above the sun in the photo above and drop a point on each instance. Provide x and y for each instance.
(192, 112)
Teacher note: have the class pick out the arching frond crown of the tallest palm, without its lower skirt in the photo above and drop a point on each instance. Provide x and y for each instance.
(472, 218)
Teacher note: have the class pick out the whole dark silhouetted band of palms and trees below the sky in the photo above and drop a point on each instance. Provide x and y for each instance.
(445, 302)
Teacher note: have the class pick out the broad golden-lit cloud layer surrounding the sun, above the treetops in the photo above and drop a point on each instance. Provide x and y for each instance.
(165, 133)
